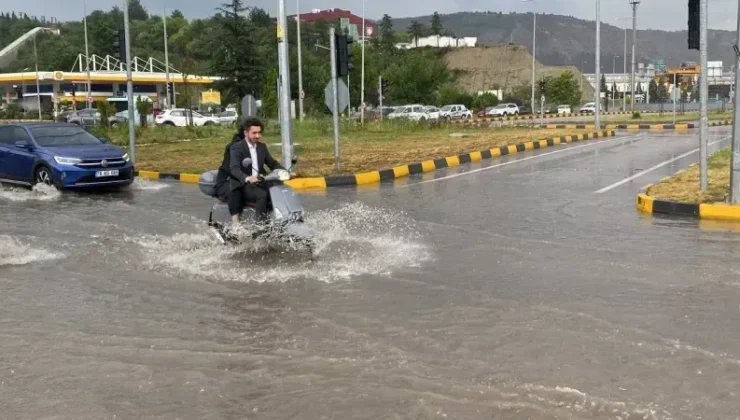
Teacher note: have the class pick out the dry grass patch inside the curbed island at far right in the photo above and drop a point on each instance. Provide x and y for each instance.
(684, 186)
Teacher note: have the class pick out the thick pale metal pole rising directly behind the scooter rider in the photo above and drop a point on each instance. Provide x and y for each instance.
(285, 126)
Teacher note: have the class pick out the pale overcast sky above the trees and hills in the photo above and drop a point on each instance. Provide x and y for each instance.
(653, 14)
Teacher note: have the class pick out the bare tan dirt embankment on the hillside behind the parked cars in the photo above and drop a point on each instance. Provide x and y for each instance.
(506, 66)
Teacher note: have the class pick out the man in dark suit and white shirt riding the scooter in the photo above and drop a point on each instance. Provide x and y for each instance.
(239, 187)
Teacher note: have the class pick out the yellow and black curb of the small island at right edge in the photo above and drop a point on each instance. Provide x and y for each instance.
(709, 211)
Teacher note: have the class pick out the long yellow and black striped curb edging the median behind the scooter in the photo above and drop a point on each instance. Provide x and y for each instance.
(403, 170)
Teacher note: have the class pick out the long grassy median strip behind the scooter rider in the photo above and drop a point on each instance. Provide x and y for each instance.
(372, 147)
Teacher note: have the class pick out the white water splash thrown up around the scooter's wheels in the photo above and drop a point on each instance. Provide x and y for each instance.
(350, 241)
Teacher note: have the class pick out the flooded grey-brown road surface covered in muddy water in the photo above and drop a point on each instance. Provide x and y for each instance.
(507, 289)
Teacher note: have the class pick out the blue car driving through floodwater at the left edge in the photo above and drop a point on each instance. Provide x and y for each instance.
(60, 154)
